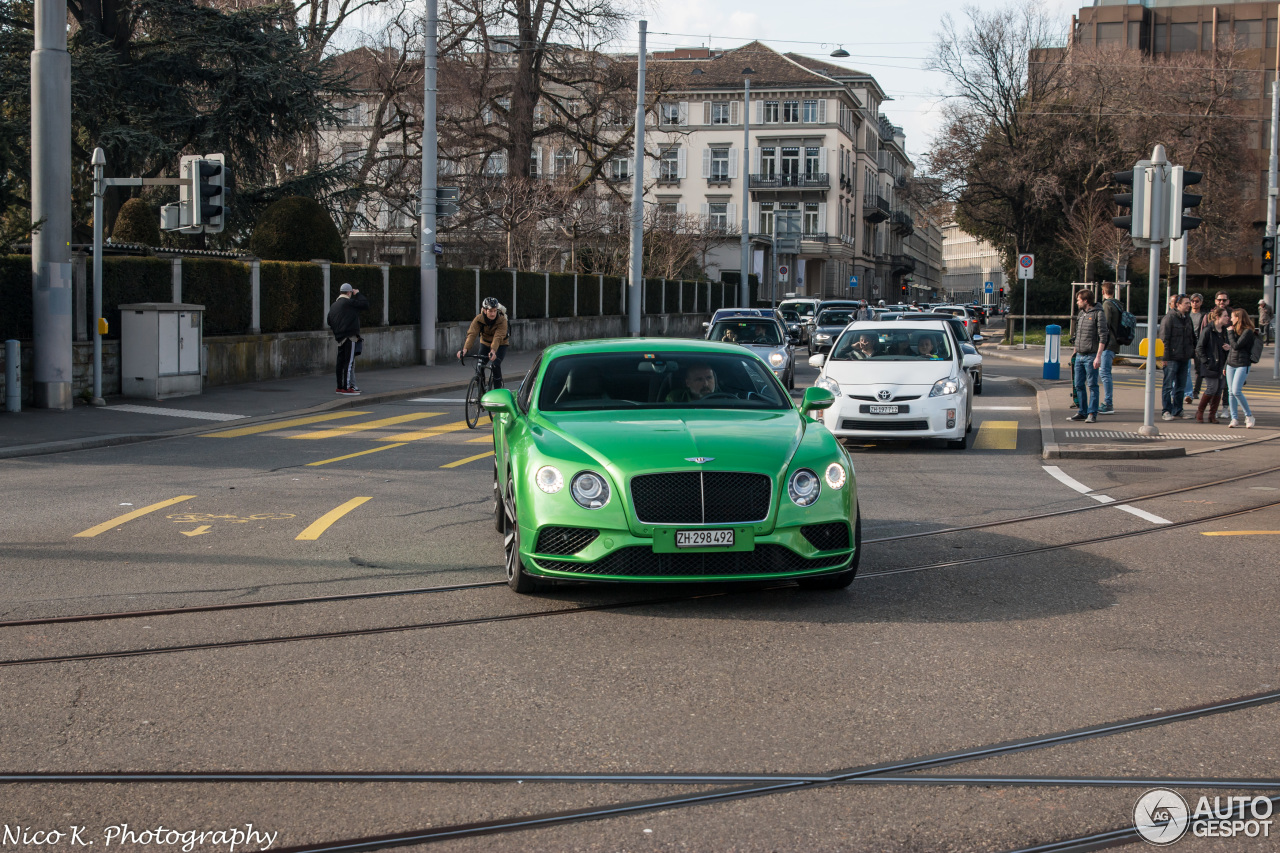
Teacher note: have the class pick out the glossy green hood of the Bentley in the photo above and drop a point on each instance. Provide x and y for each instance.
(636, 443)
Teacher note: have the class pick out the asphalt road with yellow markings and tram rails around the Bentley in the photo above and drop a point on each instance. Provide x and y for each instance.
(980, 650)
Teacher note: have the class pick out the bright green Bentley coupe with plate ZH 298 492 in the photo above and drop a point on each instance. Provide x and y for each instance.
(669, 460)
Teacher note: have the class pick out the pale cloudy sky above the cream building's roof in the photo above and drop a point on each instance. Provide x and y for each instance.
(888, 39)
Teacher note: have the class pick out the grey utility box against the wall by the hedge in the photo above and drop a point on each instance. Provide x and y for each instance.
(161, 350)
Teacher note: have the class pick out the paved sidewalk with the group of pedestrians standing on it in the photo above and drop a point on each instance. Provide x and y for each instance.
(1117, 436)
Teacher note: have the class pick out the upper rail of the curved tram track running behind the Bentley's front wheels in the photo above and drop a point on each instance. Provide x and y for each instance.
(420, 591)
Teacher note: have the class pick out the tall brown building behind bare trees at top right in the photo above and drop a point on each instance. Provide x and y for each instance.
(1168, 28)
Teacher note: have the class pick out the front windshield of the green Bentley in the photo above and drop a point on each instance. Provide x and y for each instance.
(670, 380)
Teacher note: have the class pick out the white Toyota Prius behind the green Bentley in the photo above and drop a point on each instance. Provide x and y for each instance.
(904, 380)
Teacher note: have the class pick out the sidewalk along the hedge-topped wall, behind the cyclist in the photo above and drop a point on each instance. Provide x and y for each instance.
(35, 432)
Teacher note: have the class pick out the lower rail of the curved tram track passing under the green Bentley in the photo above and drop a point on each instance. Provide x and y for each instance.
(568, 612)
